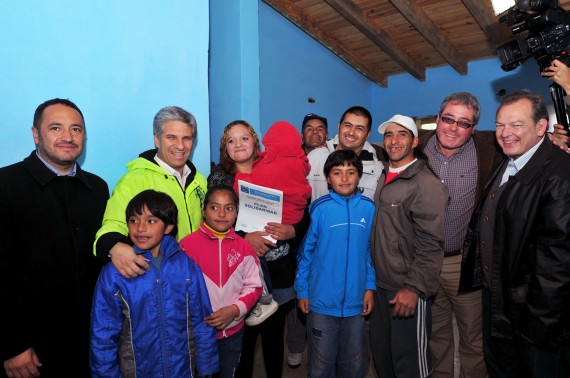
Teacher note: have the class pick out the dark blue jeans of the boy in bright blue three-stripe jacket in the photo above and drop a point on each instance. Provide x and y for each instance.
(336, 346)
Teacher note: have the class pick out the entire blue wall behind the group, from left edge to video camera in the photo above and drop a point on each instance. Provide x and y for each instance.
(122, 61)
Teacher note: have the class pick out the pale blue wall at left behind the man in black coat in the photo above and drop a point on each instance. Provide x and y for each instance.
(119, 61)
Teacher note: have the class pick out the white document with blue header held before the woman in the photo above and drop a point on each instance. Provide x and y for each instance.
(257, 206)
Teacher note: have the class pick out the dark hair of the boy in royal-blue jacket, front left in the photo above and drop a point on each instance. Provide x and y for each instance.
(159, 204)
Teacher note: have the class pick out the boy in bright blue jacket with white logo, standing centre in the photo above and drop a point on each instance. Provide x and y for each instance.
(335, 276)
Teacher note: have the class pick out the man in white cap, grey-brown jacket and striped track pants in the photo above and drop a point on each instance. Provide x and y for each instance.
(407, 250)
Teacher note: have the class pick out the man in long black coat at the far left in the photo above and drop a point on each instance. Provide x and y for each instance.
(50, 211)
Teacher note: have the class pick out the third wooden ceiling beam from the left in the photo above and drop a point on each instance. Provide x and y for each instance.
(426, 27)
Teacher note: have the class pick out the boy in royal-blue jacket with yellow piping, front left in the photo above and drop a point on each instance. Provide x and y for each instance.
(153, 325)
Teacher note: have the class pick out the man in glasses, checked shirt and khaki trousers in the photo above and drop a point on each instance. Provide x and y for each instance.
(463, 160)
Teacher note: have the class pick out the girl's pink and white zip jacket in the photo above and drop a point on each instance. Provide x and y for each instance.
(231, 271)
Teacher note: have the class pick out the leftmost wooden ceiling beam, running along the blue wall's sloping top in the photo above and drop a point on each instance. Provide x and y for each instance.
(311, 27)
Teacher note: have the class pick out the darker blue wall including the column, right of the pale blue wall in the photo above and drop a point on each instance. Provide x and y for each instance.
(263, 68)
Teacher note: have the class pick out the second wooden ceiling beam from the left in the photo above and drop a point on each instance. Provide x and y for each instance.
(360, 20)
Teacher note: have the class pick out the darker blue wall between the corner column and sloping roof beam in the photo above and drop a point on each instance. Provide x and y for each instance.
(294, 67)
